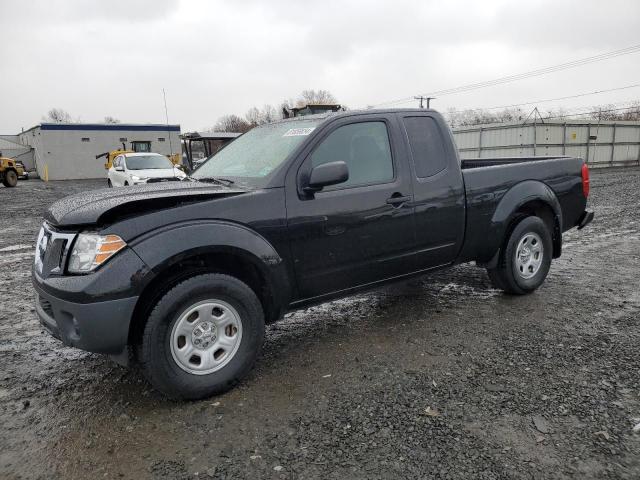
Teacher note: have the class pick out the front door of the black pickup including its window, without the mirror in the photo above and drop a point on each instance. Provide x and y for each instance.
(359, 231)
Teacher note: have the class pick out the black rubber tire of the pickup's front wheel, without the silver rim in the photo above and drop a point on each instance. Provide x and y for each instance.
(155, 354)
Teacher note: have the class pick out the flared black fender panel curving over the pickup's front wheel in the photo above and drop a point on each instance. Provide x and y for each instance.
(164, 247)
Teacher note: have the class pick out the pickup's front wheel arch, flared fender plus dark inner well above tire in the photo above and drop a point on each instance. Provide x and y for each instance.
(180, 252)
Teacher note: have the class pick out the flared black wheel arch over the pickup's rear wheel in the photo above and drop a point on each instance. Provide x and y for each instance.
(516, 198)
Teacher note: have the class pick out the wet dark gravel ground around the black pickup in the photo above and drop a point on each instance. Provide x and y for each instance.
(440, 377)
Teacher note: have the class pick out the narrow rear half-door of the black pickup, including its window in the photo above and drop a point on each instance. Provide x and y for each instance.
(438, 190)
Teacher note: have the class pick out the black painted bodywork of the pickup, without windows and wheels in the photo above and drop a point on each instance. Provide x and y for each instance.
(312, 246)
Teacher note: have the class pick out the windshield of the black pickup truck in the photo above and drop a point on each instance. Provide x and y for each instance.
(258, 152)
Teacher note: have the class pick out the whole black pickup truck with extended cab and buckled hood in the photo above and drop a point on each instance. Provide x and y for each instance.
(290, 214)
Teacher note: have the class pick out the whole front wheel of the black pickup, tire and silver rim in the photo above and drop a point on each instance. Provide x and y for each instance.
(202, 337)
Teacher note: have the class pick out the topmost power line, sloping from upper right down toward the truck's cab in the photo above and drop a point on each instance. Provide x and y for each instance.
(524, 75)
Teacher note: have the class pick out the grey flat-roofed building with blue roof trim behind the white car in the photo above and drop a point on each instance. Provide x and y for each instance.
(66, 151)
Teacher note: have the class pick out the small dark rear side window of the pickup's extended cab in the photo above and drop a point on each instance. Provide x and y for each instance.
(427, 146)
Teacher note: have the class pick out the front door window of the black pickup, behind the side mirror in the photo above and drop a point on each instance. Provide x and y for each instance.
(364, 147)
